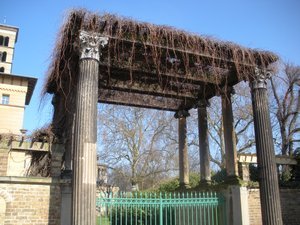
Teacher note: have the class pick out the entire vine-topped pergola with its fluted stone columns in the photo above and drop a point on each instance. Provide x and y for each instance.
(119, 61)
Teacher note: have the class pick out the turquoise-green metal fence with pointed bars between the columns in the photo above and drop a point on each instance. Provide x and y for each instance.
(161, 209)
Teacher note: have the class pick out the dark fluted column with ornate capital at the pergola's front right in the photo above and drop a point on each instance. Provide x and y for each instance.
(268, 180)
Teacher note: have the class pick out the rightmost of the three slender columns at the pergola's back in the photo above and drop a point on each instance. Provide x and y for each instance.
(229, 134)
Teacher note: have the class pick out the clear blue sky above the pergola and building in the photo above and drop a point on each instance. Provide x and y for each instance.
(272, 25)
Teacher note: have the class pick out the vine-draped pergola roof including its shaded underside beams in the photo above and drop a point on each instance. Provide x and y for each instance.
(159, 60)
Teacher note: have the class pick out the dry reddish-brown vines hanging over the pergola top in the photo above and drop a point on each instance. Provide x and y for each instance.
(146, 47)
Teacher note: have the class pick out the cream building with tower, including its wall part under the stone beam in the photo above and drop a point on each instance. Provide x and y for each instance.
(15, 94)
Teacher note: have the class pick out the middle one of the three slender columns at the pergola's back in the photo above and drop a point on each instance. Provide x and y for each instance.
(203, 143)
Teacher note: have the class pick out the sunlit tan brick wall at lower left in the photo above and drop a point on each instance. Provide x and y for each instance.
(30, 201)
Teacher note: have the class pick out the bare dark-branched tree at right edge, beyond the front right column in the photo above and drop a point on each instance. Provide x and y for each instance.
(285, 88)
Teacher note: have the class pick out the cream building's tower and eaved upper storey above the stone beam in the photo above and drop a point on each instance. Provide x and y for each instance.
(15, 90)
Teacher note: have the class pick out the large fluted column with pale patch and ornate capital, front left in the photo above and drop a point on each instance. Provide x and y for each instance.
(85, 132)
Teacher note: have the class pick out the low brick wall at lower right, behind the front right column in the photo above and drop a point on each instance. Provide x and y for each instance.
(290, 206)
